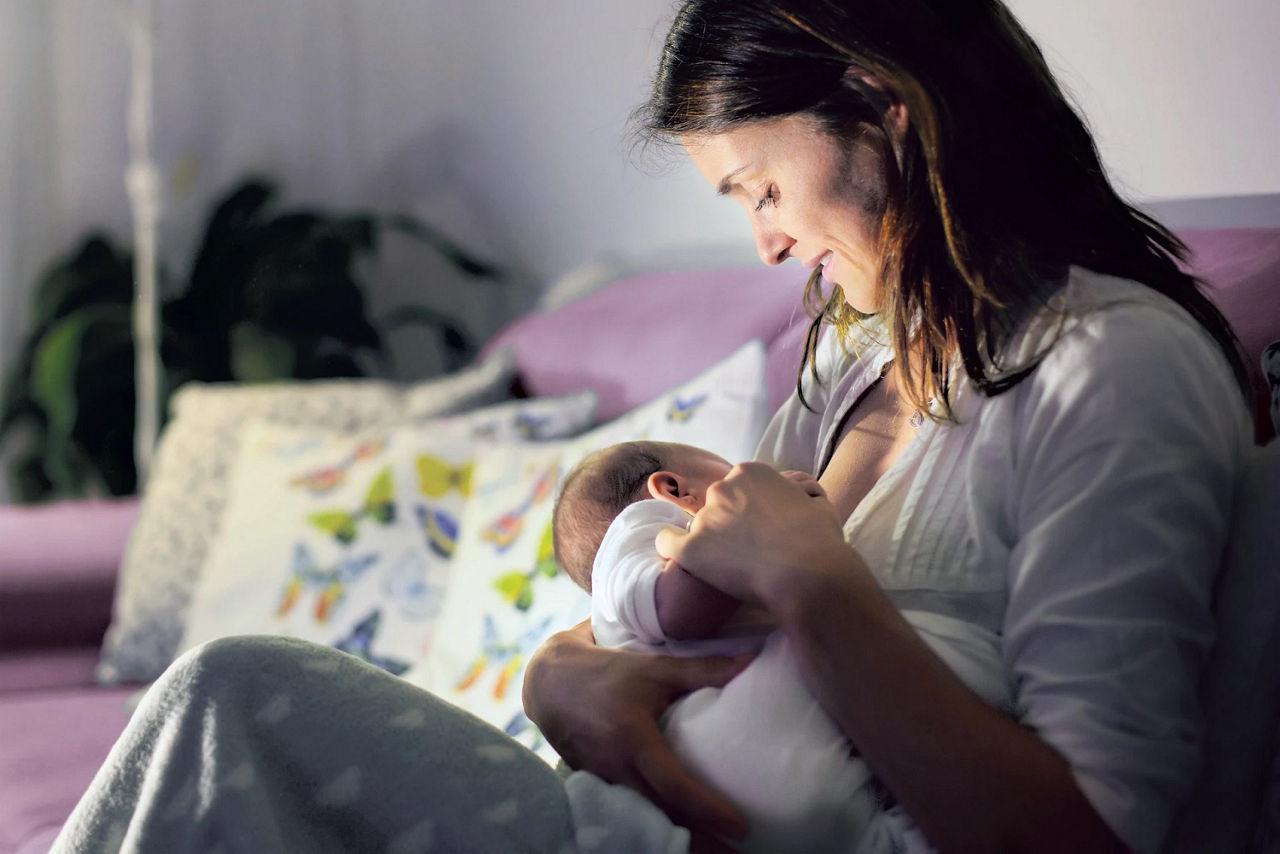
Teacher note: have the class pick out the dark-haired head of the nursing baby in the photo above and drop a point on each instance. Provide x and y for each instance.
(609, 481)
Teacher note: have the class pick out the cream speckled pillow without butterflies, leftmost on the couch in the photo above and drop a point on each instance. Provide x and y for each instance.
(189, 486)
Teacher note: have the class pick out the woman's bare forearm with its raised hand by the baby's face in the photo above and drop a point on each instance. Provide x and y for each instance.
(972, 778)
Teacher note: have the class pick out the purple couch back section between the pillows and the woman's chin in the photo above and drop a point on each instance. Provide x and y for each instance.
(643, 335)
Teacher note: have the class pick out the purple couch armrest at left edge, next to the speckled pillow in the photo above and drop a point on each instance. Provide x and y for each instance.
(58, 568)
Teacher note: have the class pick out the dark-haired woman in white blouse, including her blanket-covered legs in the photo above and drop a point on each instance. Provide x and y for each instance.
(1041, 418)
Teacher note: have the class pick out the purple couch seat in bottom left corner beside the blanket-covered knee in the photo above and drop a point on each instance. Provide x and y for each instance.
(53, 746)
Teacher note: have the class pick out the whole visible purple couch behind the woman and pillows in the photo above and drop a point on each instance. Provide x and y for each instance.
(58, 563)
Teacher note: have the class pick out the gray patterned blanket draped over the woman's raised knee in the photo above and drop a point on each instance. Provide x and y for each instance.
(269, 745)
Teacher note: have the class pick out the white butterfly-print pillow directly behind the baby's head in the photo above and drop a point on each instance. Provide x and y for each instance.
(508, 595)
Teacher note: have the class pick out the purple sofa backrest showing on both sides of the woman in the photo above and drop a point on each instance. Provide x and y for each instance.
(643, 335)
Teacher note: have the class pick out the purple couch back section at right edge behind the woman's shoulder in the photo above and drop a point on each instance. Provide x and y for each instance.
(1242, 268)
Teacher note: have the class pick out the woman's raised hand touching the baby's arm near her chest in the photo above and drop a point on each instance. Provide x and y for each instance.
(757, 531)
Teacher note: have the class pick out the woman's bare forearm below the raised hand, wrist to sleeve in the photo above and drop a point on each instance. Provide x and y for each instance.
(972, 778)
